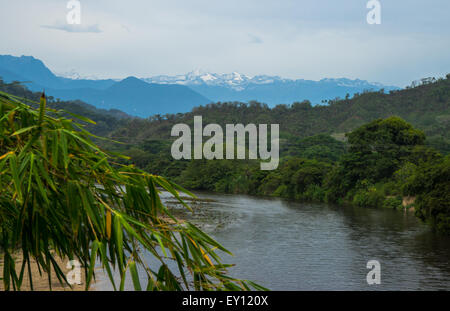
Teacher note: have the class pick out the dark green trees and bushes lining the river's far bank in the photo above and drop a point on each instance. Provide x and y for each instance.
(386, 165)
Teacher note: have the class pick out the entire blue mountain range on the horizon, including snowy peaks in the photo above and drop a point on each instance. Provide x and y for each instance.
(173, 94)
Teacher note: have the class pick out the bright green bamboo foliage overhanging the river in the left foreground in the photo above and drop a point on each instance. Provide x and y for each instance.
(61, 195)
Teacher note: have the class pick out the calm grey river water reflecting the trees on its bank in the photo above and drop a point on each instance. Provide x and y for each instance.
(299, 246)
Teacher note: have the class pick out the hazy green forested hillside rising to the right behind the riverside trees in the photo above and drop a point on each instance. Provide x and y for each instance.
(427, 107)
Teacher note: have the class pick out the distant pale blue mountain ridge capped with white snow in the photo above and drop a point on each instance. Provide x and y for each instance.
(272, 90)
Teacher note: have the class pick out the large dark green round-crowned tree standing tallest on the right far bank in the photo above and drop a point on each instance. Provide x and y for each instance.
(377, 150)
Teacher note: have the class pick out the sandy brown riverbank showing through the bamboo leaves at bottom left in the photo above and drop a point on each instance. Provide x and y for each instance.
(40, 280)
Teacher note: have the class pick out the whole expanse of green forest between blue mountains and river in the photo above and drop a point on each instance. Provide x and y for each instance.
(372, 150)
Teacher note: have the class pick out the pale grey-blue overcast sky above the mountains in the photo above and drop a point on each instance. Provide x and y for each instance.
(308, 39)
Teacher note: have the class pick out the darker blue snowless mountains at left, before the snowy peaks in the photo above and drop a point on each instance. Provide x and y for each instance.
(130, 95)
